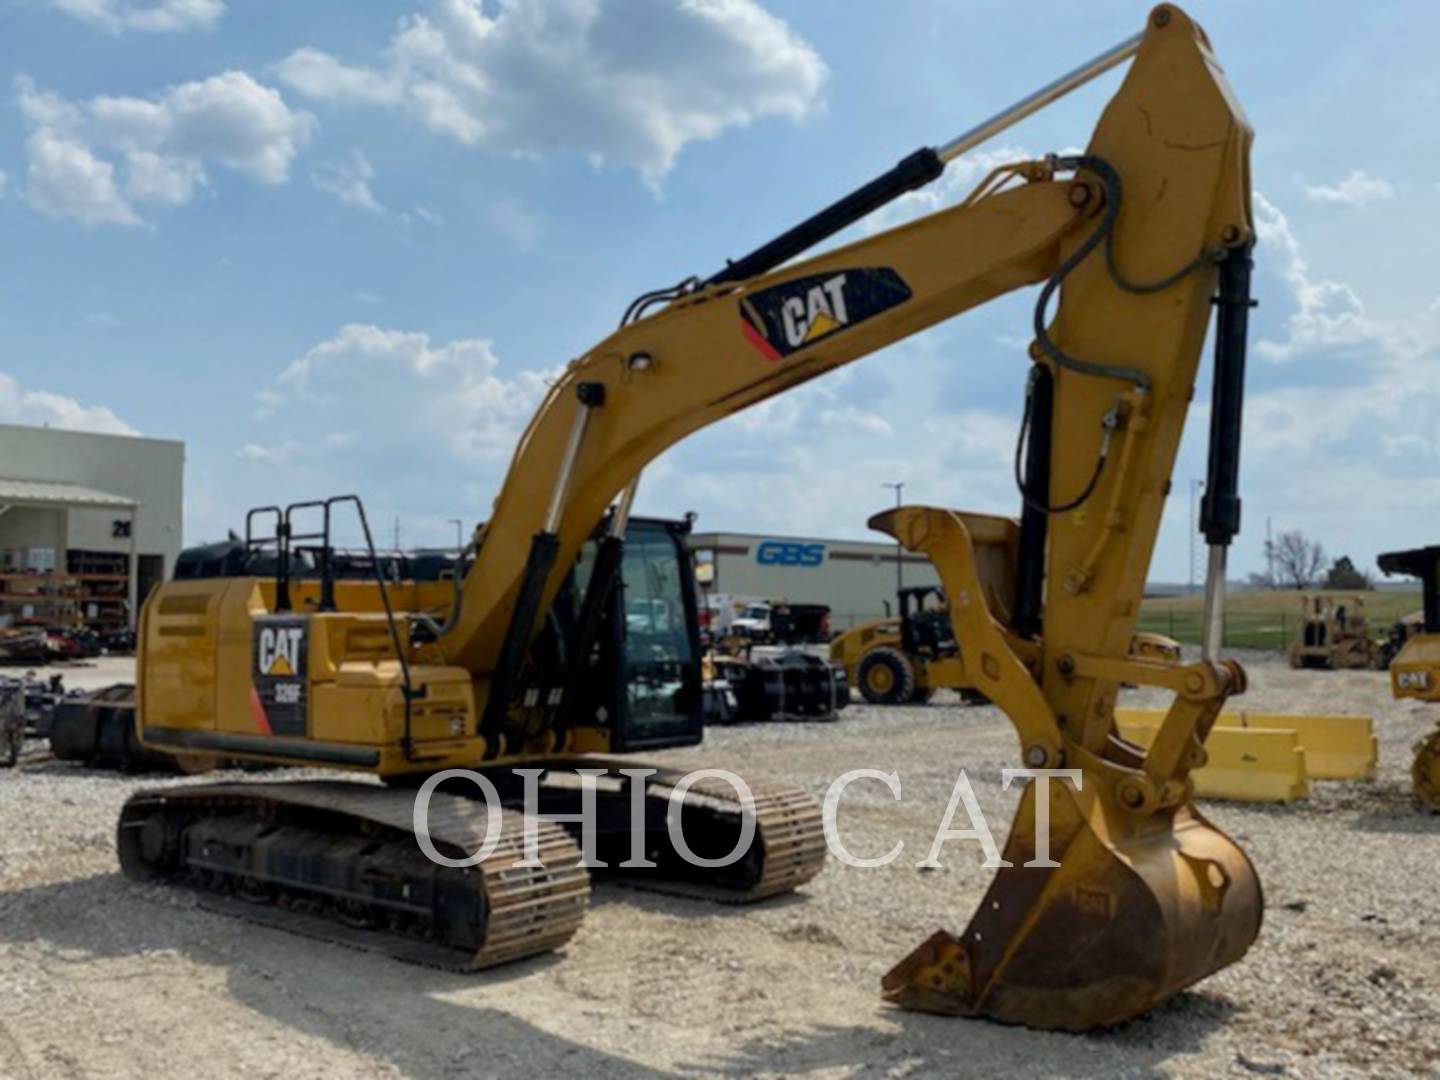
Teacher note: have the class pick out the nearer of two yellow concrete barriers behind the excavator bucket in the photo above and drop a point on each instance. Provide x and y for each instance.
(1246, 764)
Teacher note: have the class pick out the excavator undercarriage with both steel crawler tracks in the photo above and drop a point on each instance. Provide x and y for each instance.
(339, 860)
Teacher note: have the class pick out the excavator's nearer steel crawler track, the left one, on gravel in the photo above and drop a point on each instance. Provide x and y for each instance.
(341, 862)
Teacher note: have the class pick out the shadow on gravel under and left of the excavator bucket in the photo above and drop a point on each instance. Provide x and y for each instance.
(951, 1046)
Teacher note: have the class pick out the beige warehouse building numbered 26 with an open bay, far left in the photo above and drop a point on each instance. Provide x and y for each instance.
(89, 525)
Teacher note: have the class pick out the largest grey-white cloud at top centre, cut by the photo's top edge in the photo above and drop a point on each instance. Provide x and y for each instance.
(626, 83)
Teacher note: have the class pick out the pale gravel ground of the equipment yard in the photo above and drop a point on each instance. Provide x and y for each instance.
(100, 977)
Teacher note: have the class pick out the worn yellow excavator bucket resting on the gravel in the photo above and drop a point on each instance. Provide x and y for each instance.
(1137, 909)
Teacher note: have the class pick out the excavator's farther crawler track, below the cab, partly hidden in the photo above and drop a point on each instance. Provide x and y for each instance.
(787, 852)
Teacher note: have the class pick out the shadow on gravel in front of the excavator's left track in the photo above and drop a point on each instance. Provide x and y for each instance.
(365, 1003)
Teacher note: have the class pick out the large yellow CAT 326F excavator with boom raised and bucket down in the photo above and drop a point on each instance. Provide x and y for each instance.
(1133, 243)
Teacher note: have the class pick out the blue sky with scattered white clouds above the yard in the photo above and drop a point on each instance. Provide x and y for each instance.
(339, 246)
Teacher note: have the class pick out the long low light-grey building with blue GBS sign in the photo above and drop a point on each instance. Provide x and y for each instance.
(856, 578)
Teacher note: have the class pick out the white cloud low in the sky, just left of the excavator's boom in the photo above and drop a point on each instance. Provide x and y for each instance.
(368, 377)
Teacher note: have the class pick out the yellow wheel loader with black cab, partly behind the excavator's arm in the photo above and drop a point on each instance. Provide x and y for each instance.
(905, 660)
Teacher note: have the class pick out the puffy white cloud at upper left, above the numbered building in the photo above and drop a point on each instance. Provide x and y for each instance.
(99, 162)
